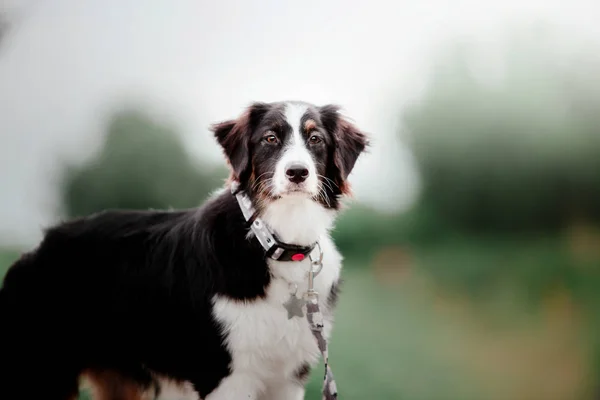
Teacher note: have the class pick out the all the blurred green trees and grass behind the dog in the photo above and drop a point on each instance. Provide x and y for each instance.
(488, 285)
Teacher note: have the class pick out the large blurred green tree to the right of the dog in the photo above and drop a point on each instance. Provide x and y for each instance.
(516, 154)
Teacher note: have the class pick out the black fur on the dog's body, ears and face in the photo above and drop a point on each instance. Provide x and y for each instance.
(129, 291)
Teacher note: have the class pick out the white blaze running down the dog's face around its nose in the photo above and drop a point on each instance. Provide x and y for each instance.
(295, 152)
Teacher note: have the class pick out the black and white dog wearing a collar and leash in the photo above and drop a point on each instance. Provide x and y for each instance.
(193, 297)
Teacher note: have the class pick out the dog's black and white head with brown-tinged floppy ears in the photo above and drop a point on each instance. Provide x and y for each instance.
(291, 149)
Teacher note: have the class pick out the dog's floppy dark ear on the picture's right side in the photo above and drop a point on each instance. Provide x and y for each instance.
(349, 143)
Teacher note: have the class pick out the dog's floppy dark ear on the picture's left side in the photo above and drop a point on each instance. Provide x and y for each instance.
(234, 138)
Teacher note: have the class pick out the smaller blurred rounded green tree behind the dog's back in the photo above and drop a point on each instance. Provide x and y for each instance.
(142, 165)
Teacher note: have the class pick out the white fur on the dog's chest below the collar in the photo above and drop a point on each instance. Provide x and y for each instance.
(266, 346)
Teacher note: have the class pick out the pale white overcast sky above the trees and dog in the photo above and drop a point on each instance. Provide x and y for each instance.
(68, 61)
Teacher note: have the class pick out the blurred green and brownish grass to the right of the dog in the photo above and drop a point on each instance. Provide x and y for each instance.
(439, 336)
